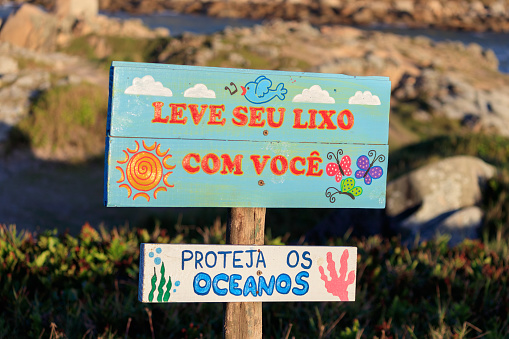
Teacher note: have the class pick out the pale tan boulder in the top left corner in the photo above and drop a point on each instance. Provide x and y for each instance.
(30, 27)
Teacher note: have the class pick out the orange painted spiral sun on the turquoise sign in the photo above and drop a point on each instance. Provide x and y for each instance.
(144, 170)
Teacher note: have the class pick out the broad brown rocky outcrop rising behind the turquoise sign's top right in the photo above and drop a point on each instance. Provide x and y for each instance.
(446, 79)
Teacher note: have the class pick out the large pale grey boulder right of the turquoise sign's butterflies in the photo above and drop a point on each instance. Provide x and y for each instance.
(425, 199)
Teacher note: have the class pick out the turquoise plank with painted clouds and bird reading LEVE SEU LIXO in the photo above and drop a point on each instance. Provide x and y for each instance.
(169, 101)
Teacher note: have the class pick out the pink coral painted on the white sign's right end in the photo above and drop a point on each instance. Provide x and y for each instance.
(338, 285)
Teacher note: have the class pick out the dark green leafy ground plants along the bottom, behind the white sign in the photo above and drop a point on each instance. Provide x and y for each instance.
(86, 286)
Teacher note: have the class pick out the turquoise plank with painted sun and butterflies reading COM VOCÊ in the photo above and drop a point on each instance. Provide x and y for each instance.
(178, 172)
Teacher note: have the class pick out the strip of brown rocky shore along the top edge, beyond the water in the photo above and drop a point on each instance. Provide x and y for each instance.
(472, 15)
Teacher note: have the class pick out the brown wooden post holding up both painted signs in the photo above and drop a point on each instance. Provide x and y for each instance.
(246, 226)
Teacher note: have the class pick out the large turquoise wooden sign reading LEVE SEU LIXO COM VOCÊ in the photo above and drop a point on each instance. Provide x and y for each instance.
(198, 136)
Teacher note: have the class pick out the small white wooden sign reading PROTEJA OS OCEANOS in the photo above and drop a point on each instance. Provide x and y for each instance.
(238, 273)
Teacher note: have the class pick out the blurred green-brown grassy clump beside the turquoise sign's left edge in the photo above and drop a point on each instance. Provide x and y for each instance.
(69, 119)
